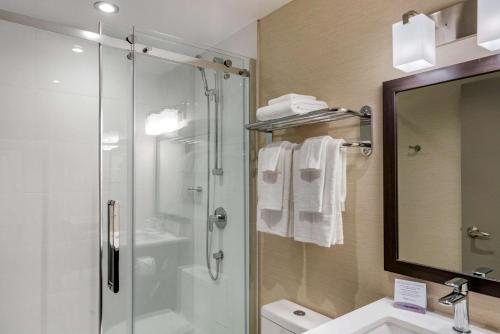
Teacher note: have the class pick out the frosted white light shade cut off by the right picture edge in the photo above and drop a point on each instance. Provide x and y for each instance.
(488, 24)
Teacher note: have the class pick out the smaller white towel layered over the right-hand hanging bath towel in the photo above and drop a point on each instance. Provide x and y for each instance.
(310, 182)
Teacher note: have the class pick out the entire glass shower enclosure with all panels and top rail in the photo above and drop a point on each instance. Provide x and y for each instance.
(123, 183)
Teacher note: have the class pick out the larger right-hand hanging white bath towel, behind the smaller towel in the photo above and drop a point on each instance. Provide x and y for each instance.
(324, 228)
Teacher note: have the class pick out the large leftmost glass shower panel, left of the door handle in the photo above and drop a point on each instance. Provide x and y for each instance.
(48, 183)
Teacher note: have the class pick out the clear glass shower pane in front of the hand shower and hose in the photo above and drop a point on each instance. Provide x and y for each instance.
(177, 188)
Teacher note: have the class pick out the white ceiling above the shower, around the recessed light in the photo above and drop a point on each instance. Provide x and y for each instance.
(202, 21)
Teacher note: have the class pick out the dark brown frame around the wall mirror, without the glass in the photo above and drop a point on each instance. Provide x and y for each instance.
(391, 242)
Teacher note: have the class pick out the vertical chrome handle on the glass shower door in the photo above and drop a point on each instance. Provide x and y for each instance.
(114, 245)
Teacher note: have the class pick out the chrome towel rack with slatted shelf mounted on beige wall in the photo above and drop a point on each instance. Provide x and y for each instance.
(322, 116)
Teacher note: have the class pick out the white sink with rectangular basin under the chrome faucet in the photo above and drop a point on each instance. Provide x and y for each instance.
(381, 317)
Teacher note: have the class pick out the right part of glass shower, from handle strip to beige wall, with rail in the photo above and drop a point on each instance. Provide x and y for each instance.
(175, 170)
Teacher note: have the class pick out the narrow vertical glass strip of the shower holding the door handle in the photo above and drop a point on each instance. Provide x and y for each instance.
(117, 140)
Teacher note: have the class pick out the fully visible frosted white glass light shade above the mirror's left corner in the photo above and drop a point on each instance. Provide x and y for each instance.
(414, 44)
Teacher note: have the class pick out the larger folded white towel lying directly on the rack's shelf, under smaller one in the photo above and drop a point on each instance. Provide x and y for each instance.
(287, 108)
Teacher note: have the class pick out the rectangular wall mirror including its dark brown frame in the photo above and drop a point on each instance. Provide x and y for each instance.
(441, 174)
